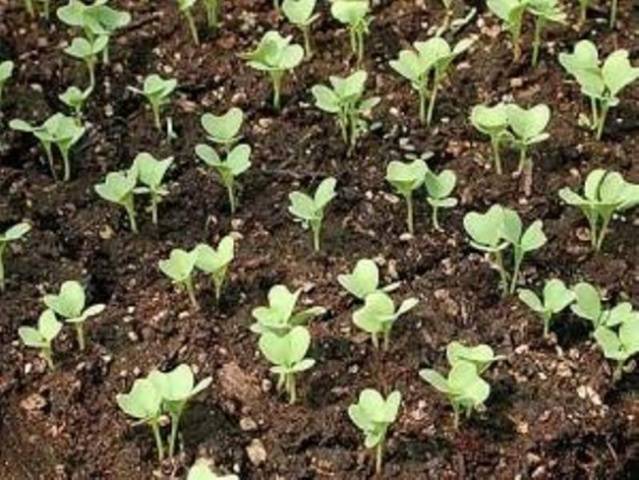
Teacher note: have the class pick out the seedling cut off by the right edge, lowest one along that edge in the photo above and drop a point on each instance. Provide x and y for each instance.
(621, 345)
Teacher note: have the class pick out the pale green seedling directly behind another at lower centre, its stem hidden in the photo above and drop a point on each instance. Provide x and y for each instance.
(280, 316)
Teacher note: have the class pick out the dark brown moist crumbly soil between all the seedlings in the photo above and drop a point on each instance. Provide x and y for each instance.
(554, 411)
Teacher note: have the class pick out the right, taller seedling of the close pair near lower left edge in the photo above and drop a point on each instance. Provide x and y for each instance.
(69, 304)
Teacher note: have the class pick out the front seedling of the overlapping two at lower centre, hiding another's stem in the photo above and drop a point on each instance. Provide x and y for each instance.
(288, 355)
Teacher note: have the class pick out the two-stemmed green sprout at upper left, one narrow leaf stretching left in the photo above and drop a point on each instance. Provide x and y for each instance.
(58, 130)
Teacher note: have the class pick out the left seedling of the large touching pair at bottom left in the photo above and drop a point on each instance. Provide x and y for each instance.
(144, 403)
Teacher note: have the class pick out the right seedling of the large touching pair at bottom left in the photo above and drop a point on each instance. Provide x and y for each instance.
(177, 388)
